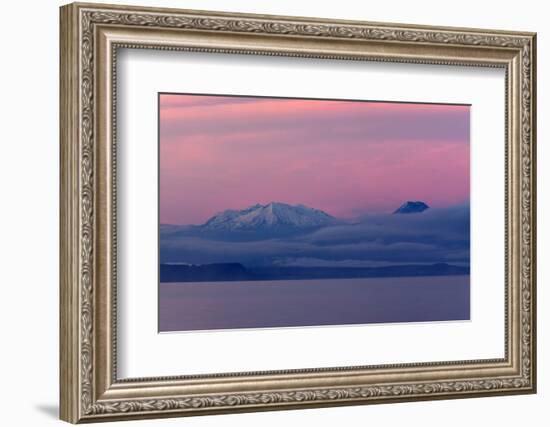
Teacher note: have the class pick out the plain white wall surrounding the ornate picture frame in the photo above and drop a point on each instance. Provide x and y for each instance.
(29, 170)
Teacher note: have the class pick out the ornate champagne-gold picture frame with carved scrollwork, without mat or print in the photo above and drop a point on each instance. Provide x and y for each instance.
(90, 37)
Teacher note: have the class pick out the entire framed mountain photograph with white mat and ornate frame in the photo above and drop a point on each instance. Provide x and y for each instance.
(266, 212)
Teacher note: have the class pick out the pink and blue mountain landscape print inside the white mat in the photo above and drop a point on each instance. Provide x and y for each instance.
(292, 212)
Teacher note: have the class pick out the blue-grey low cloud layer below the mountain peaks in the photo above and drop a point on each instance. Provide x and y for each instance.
(437, 235)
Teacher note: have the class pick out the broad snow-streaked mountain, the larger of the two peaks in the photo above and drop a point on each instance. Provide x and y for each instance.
(274, 215)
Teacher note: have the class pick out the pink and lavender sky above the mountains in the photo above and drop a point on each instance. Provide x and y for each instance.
(344, 157)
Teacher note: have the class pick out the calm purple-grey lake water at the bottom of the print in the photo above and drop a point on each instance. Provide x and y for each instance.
(232, 305)
